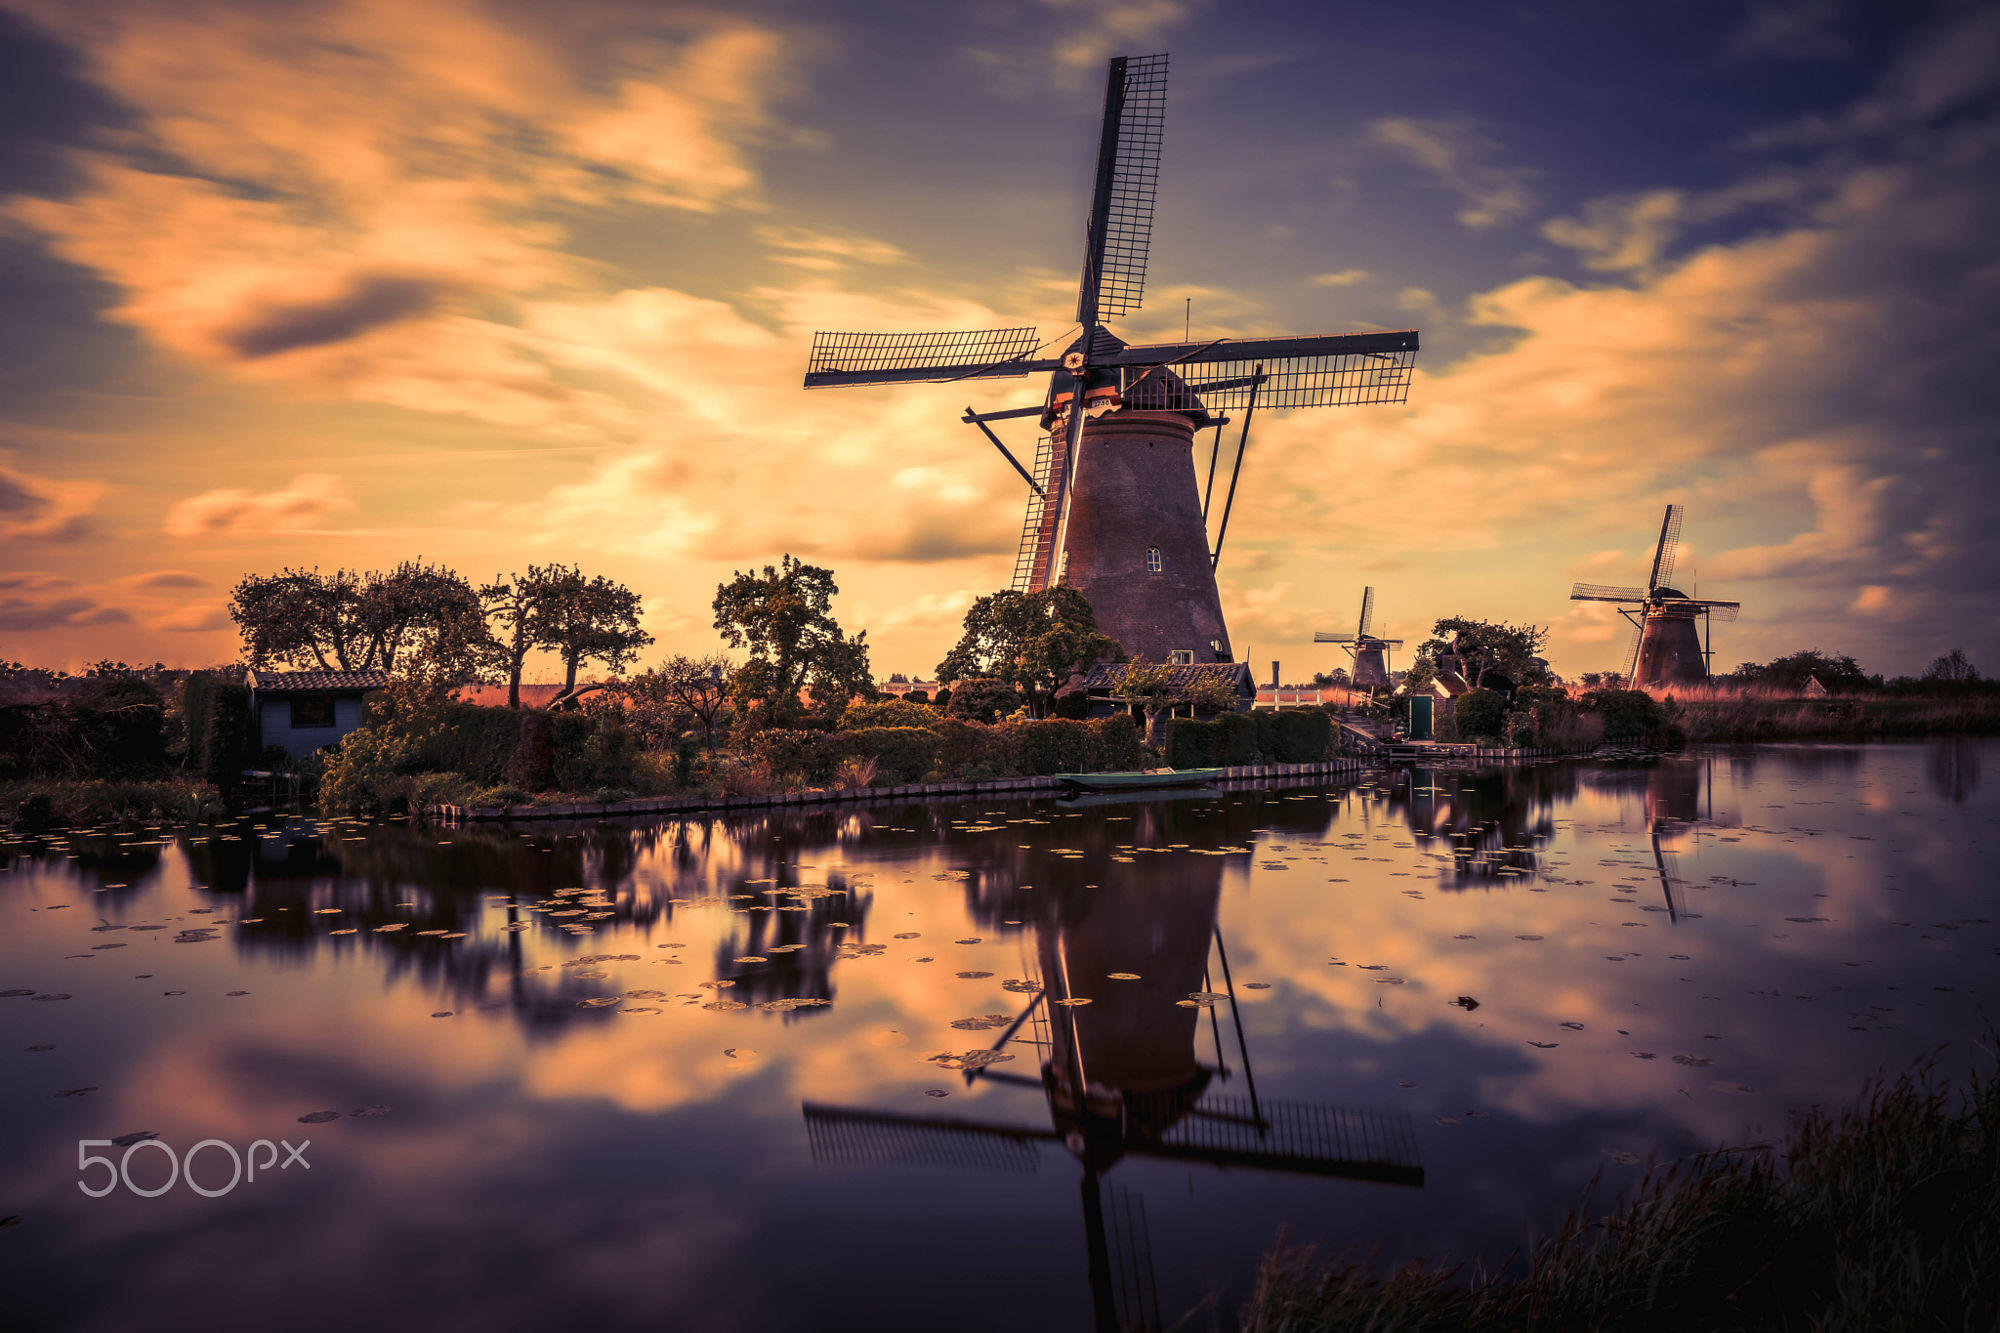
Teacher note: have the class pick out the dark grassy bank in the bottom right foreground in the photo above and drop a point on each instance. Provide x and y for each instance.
(1885, 1216)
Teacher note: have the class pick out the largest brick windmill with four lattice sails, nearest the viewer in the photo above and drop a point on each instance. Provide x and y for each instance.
(1115, 507)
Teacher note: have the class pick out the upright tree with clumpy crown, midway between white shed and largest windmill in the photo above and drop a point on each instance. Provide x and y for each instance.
(785, 621)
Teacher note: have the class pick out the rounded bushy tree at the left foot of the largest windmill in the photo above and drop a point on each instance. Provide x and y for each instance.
(1035, 641)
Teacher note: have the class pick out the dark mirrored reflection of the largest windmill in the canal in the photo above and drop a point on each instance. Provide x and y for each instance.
(1123, 1078)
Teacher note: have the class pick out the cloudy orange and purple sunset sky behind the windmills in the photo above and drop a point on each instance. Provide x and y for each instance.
(495, 283)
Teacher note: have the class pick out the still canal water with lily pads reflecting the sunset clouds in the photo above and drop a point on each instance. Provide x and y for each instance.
(979, 1066)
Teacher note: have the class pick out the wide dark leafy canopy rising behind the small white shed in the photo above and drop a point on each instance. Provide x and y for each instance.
(355, 621)
